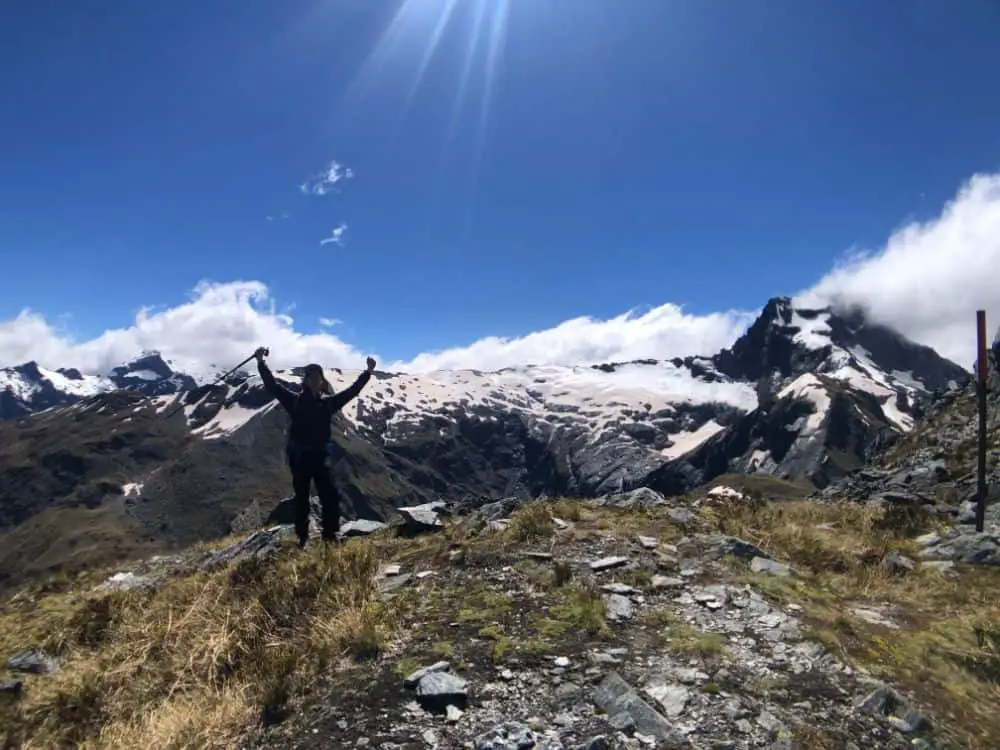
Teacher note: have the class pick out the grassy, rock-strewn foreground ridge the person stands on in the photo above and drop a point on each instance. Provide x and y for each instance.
(715, 621)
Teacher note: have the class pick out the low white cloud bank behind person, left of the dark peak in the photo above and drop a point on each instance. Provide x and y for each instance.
(223, 322)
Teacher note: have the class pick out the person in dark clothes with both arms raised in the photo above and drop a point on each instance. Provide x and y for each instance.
(309, 441)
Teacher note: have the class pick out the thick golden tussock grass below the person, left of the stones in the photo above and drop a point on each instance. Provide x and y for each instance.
(198, 661)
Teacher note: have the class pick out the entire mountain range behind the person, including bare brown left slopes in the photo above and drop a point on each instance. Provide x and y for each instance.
(803, 393)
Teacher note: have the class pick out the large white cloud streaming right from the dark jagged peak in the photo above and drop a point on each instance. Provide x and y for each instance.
(930, 277)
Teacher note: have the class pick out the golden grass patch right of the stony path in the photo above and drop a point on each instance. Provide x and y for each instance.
(947, 648)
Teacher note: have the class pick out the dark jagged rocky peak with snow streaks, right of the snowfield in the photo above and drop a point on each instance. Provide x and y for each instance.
(832, 389)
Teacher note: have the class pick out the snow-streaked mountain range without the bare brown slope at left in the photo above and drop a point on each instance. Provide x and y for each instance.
(799, 386)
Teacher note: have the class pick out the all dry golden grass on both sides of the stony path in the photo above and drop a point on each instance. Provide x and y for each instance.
(204, 659)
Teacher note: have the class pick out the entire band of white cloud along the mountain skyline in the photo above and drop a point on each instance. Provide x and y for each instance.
(927, 281)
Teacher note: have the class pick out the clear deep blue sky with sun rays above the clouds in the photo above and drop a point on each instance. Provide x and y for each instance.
(602, 155)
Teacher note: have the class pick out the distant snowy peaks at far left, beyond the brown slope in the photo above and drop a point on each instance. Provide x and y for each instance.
(30, 388)
